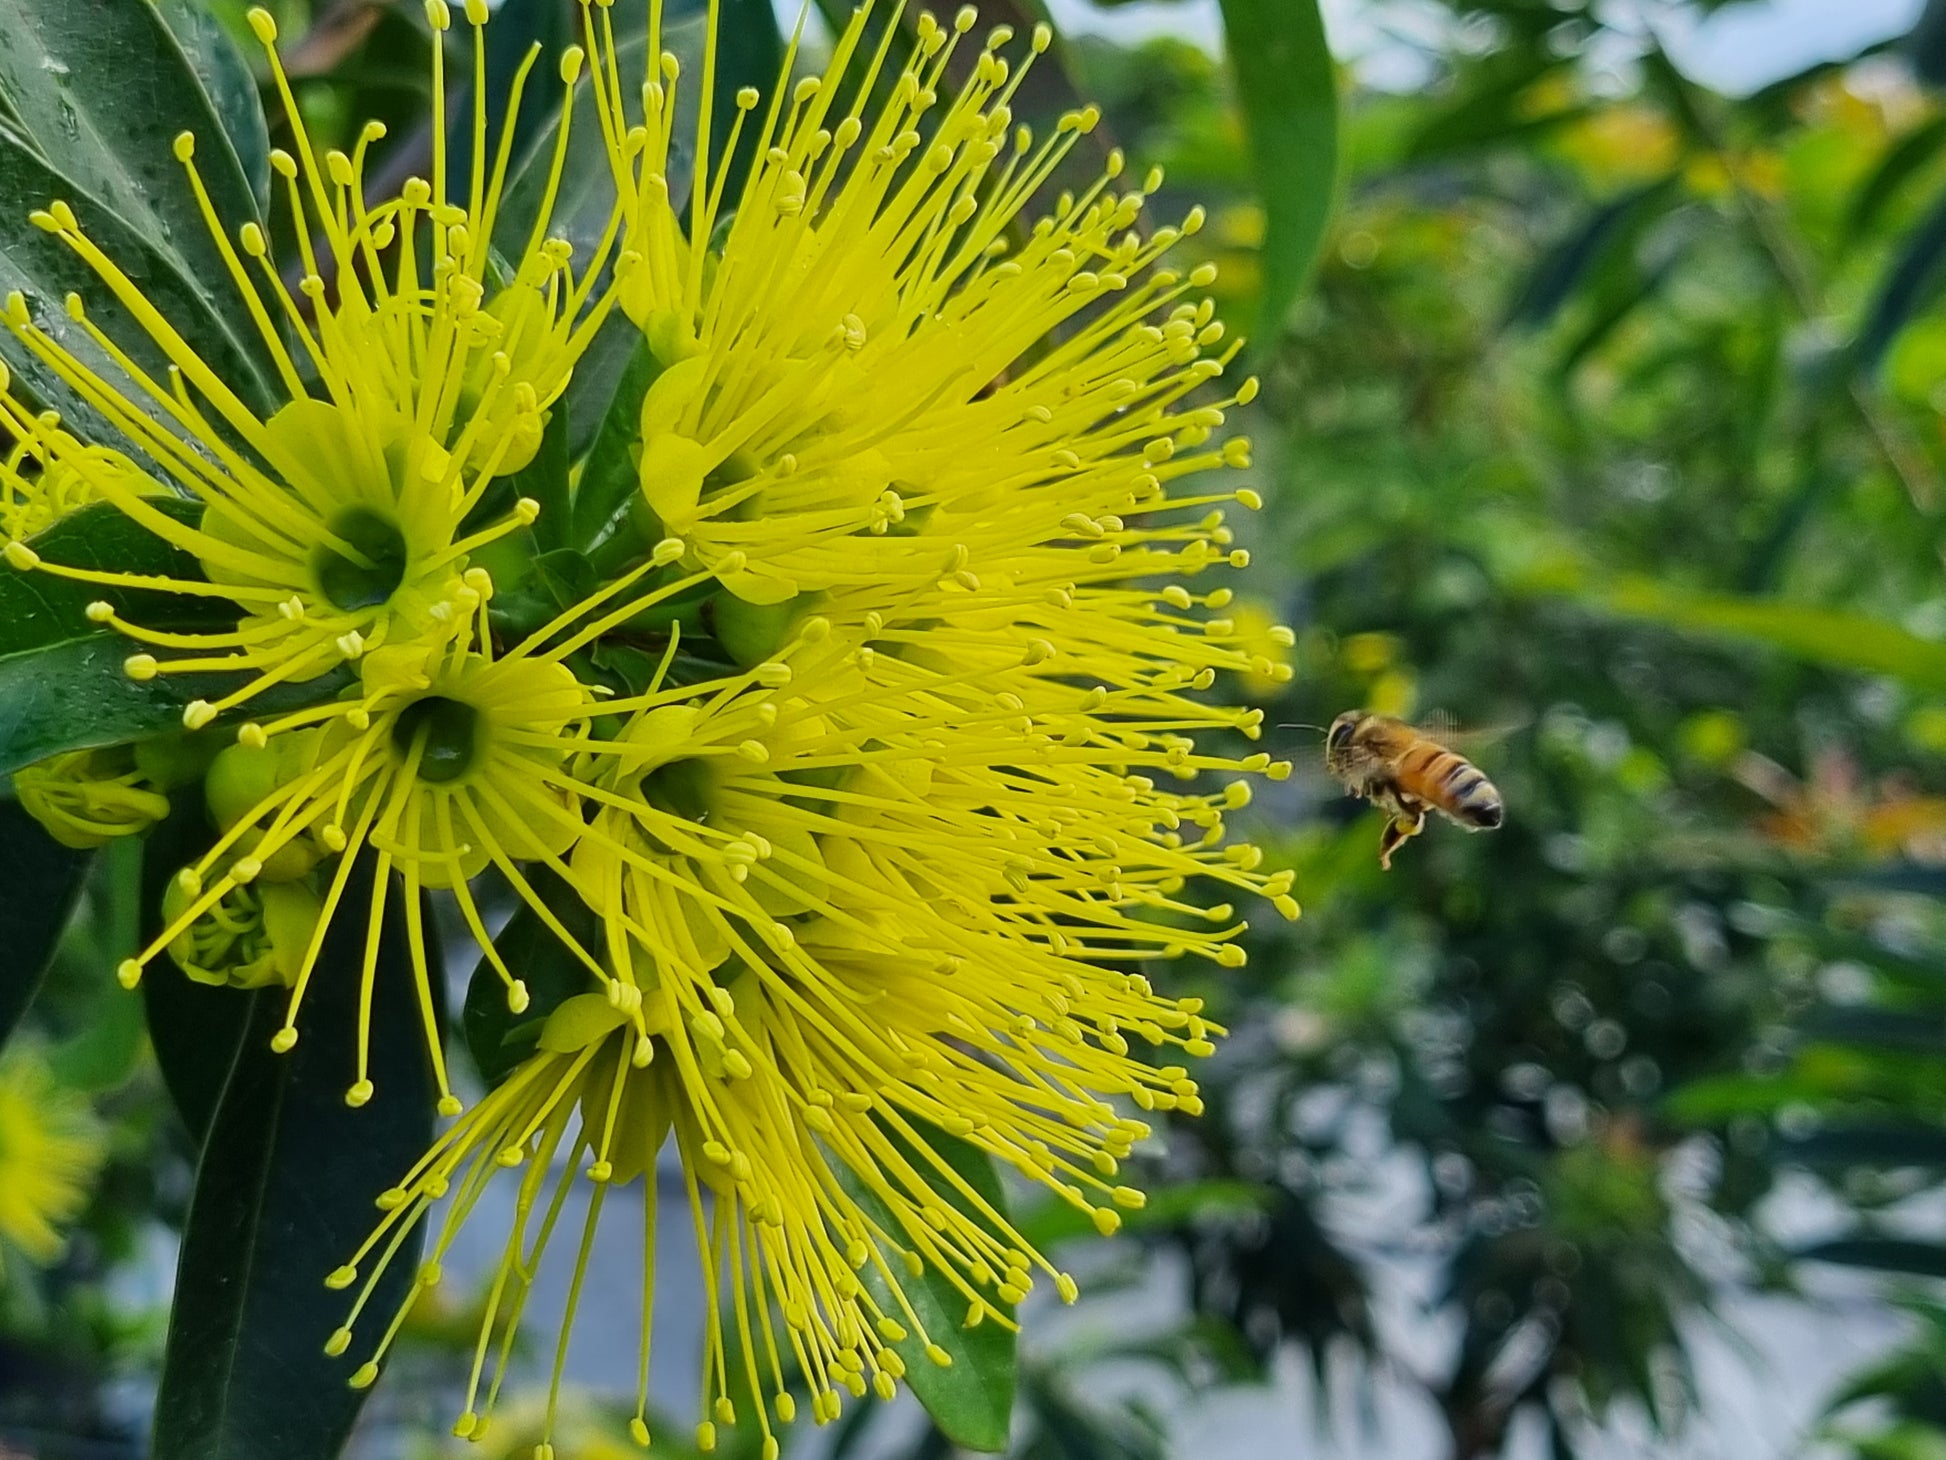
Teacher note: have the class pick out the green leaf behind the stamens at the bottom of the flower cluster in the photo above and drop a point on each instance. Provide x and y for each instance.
(972, 1401)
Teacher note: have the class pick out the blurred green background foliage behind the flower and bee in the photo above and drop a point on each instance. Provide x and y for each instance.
(1610, 421)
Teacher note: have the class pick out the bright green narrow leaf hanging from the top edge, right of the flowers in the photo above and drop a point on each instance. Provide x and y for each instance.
(1289, 96)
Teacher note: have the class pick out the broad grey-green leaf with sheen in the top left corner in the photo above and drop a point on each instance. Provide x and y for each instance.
(104, 89)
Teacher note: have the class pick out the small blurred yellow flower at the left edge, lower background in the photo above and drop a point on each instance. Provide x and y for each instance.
(50, 1155)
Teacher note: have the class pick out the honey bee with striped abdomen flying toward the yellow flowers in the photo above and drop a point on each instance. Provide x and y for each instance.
(1406, 774)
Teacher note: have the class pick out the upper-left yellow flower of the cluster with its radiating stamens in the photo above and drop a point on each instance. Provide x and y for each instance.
(414, 377)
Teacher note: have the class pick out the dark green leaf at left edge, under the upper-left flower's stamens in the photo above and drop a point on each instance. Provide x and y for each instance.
(63, 684)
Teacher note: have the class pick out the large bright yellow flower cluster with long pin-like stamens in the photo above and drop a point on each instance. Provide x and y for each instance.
(912, 770)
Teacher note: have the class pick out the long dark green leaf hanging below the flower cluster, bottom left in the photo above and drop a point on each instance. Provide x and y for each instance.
(285, 1194)
